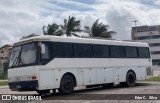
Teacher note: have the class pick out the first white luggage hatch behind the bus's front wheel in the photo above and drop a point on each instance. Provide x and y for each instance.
(89, 76)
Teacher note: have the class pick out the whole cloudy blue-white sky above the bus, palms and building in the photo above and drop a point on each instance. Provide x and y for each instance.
(22, 17)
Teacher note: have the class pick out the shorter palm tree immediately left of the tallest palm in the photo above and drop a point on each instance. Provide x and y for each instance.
(53, 29)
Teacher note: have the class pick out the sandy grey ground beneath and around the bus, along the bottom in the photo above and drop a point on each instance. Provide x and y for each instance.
(98, 95)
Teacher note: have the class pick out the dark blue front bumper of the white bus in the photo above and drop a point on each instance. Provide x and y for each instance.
(23, 85)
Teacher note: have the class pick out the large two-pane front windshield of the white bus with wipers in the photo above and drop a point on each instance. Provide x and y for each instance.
(23, 55)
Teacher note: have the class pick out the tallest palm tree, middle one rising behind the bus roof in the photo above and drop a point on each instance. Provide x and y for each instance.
(71, 26)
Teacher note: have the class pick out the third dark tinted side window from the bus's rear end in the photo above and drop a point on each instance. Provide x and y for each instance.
(117, 51)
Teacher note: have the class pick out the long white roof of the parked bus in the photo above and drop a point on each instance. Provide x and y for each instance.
(81, 40)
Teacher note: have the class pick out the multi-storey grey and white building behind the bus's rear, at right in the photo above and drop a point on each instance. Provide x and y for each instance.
(150, 35)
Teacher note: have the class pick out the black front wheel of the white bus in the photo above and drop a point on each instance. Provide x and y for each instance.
(66, 84)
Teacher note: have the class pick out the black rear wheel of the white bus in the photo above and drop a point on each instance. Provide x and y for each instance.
(130, 79)
